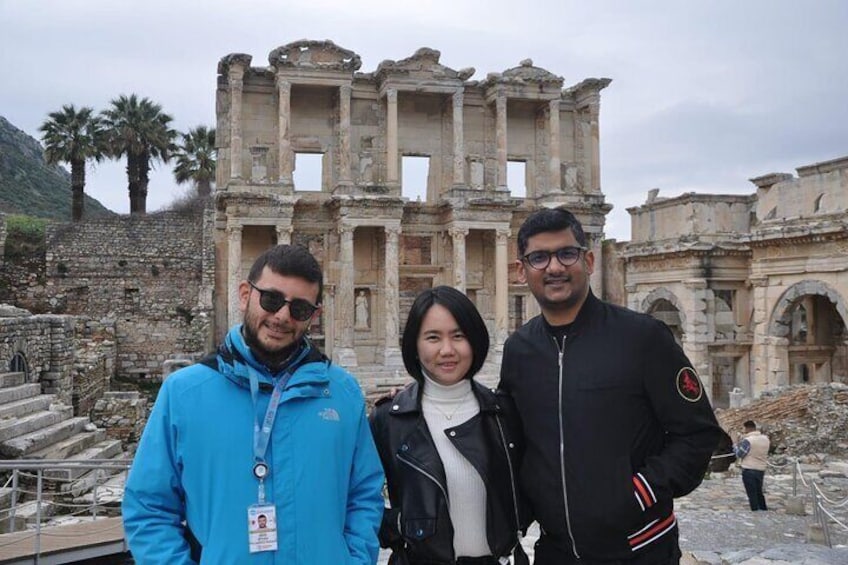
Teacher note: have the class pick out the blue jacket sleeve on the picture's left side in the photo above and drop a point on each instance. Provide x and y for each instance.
(153, 506)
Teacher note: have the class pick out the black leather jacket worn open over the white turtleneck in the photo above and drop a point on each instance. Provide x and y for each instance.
(417, 527)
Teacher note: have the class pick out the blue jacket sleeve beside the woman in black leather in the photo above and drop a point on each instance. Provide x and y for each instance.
(365, 498)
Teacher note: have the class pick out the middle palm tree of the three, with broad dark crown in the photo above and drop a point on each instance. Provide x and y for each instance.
(140, 130)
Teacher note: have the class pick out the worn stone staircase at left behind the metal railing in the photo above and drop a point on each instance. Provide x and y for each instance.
(34, 427)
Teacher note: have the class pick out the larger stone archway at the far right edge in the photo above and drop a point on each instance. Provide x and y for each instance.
(810, 317)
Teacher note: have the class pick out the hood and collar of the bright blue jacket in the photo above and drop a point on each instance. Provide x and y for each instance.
(236, 361)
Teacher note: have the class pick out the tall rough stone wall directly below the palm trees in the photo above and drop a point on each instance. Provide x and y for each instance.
(148, 277)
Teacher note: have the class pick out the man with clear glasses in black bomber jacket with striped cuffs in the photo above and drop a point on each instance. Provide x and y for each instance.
(615, 419)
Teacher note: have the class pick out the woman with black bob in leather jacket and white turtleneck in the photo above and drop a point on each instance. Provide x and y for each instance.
(450, 447)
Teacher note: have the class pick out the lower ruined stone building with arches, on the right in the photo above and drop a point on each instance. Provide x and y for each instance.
(754, 287)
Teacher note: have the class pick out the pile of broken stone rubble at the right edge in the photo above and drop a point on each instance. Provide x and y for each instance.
(799, 420)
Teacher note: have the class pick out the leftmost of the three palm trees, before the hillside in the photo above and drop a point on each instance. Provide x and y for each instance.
(73, 136)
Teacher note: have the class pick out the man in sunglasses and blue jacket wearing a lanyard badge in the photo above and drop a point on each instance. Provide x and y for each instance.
(267, 427)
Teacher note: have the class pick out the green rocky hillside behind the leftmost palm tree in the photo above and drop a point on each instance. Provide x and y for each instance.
(30, 186)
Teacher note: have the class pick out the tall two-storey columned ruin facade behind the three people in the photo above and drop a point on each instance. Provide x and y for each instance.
(373, 240)
